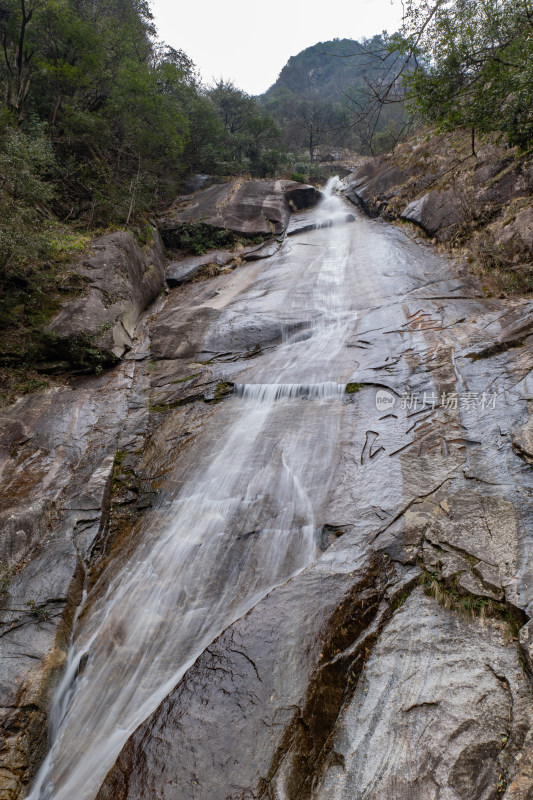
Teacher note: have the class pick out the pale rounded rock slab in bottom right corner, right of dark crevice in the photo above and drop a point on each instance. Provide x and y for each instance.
(439, 712)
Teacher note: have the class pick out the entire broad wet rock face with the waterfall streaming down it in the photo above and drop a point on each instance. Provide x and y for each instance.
(292, 535)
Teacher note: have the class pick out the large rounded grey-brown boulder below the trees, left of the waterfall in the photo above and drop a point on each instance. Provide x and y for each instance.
(122, 280)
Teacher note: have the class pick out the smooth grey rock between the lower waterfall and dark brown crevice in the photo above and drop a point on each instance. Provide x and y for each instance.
(254, 688)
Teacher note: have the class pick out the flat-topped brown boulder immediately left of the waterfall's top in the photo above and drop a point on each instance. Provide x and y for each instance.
(249, 208)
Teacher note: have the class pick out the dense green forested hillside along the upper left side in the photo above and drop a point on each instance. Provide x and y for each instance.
(99, 123)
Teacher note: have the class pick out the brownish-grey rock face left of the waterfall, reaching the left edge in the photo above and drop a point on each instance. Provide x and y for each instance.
(56, 474)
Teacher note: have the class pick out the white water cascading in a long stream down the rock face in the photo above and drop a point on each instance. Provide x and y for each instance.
(243, 521)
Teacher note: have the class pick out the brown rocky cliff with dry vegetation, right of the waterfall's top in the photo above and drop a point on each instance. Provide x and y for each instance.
(472, 197)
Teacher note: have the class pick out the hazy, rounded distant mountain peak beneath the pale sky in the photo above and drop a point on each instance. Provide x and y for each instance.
(319, 94)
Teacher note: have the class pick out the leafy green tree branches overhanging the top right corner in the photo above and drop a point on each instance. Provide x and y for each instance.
(474, 65)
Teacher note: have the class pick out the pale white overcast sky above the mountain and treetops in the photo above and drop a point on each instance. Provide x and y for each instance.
(249, 42)
